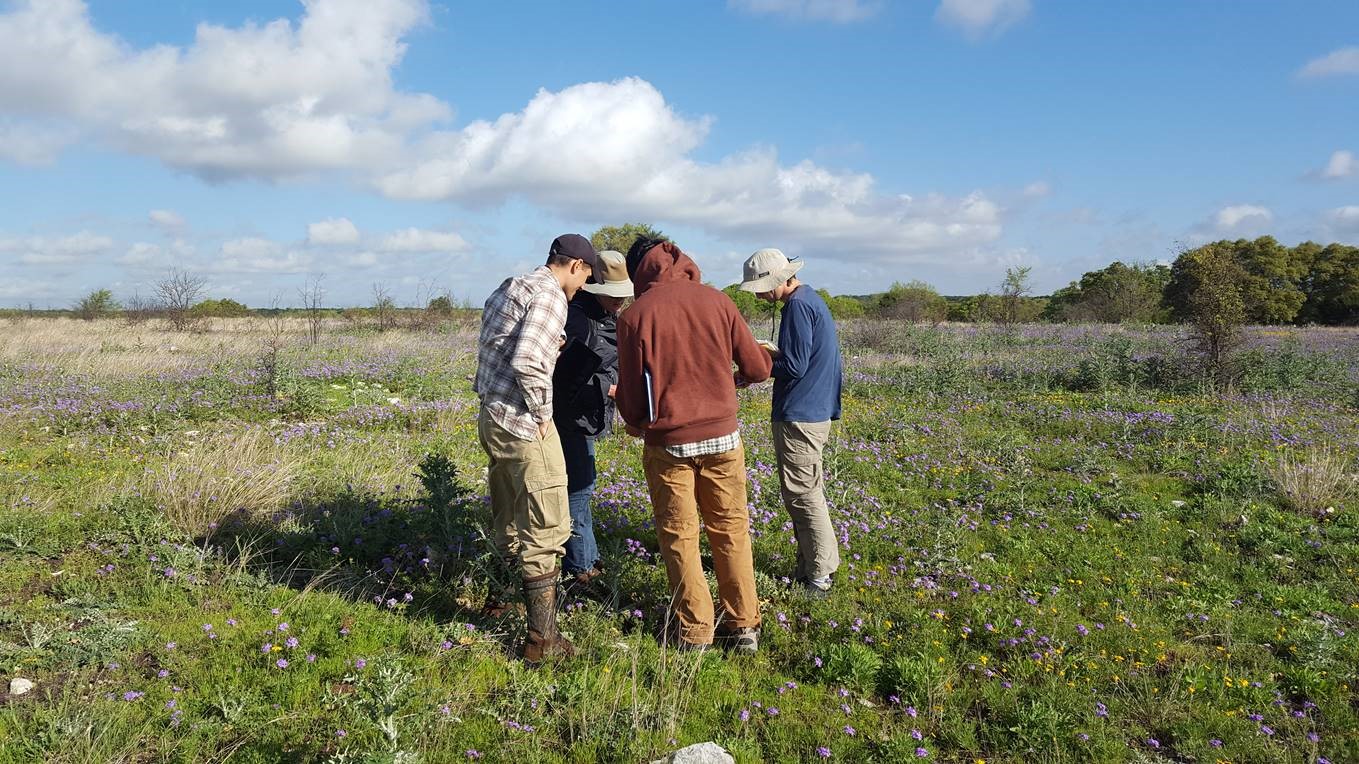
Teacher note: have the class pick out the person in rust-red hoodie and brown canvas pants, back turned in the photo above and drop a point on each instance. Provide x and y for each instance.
(676, 391)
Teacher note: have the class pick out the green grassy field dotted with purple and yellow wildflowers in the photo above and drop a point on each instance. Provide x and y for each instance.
(236, 546)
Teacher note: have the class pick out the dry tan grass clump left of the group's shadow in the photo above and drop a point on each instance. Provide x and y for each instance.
(228, 474)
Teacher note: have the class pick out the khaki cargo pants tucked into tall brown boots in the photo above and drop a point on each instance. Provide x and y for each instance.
(531, 516)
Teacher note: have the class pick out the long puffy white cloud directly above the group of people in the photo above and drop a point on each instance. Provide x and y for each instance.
(634, 152)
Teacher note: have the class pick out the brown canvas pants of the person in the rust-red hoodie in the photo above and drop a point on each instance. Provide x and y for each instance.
(714, 489)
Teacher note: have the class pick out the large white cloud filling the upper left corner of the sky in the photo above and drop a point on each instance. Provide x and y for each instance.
(268, 101)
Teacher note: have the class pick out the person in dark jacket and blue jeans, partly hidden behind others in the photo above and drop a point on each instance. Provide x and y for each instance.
(585, 383)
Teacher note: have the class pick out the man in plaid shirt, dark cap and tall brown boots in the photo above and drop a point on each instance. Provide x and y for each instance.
(521, 334)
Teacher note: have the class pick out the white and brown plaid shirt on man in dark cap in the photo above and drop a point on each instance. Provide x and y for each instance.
(521, 335)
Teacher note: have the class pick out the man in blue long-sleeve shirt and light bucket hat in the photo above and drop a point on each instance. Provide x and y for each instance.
(807, 399)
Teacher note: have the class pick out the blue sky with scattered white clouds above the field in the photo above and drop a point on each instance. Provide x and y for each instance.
(430, 147)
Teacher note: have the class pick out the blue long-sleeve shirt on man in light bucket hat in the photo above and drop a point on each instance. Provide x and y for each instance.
(808, 376)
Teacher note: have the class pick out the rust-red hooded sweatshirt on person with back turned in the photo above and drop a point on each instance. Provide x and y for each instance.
(676, 347)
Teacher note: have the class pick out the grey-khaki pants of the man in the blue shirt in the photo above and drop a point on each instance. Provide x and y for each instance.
(797, 448)
